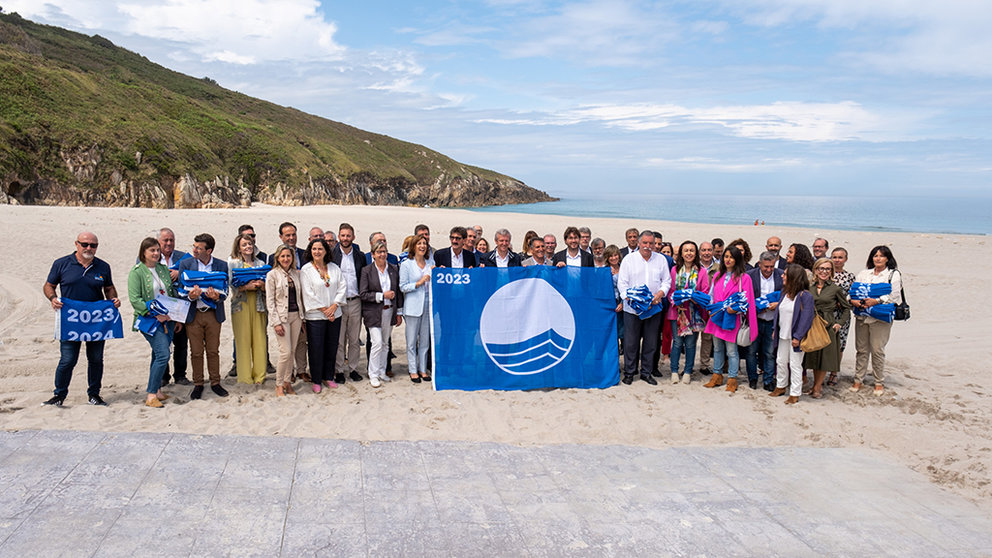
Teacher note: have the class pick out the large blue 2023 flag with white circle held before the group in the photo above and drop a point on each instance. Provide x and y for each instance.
(524, 328)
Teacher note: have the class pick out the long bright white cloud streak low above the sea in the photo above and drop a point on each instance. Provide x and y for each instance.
(806, 122)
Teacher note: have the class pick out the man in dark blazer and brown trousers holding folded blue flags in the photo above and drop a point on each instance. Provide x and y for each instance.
(203, 322)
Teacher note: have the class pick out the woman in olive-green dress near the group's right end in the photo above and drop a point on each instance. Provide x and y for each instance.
(828, 297)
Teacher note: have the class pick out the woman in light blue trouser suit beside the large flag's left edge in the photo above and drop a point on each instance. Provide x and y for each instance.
(415, 282)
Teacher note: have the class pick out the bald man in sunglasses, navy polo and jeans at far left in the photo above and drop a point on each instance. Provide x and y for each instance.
(84, 277)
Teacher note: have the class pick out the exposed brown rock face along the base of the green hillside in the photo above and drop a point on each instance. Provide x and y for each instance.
(94, 182)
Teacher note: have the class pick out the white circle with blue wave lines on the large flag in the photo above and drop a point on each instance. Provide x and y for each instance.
(527, 327)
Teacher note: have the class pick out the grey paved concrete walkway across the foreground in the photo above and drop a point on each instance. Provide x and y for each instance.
(105, 494)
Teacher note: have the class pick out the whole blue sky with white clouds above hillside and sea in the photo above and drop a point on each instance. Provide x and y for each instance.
(813, 97)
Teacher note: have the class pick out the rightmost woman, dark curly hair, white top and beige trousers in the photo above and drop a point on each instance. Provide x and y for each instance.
(871, 335)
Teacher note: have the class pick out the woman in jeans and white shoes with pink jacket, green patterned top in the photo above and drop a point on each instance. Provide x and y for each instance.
(685, 320)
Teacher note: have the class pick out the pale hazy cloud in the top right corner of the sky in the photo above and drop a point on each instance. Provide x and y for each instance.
(941, 38)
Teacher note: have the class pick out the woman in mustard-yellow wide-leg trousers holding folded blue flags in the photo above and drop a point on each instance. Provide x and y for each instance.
(248, 314)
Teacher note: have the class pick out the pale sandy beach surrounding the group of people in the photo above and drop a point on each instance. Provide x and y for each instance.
(934, 417)
